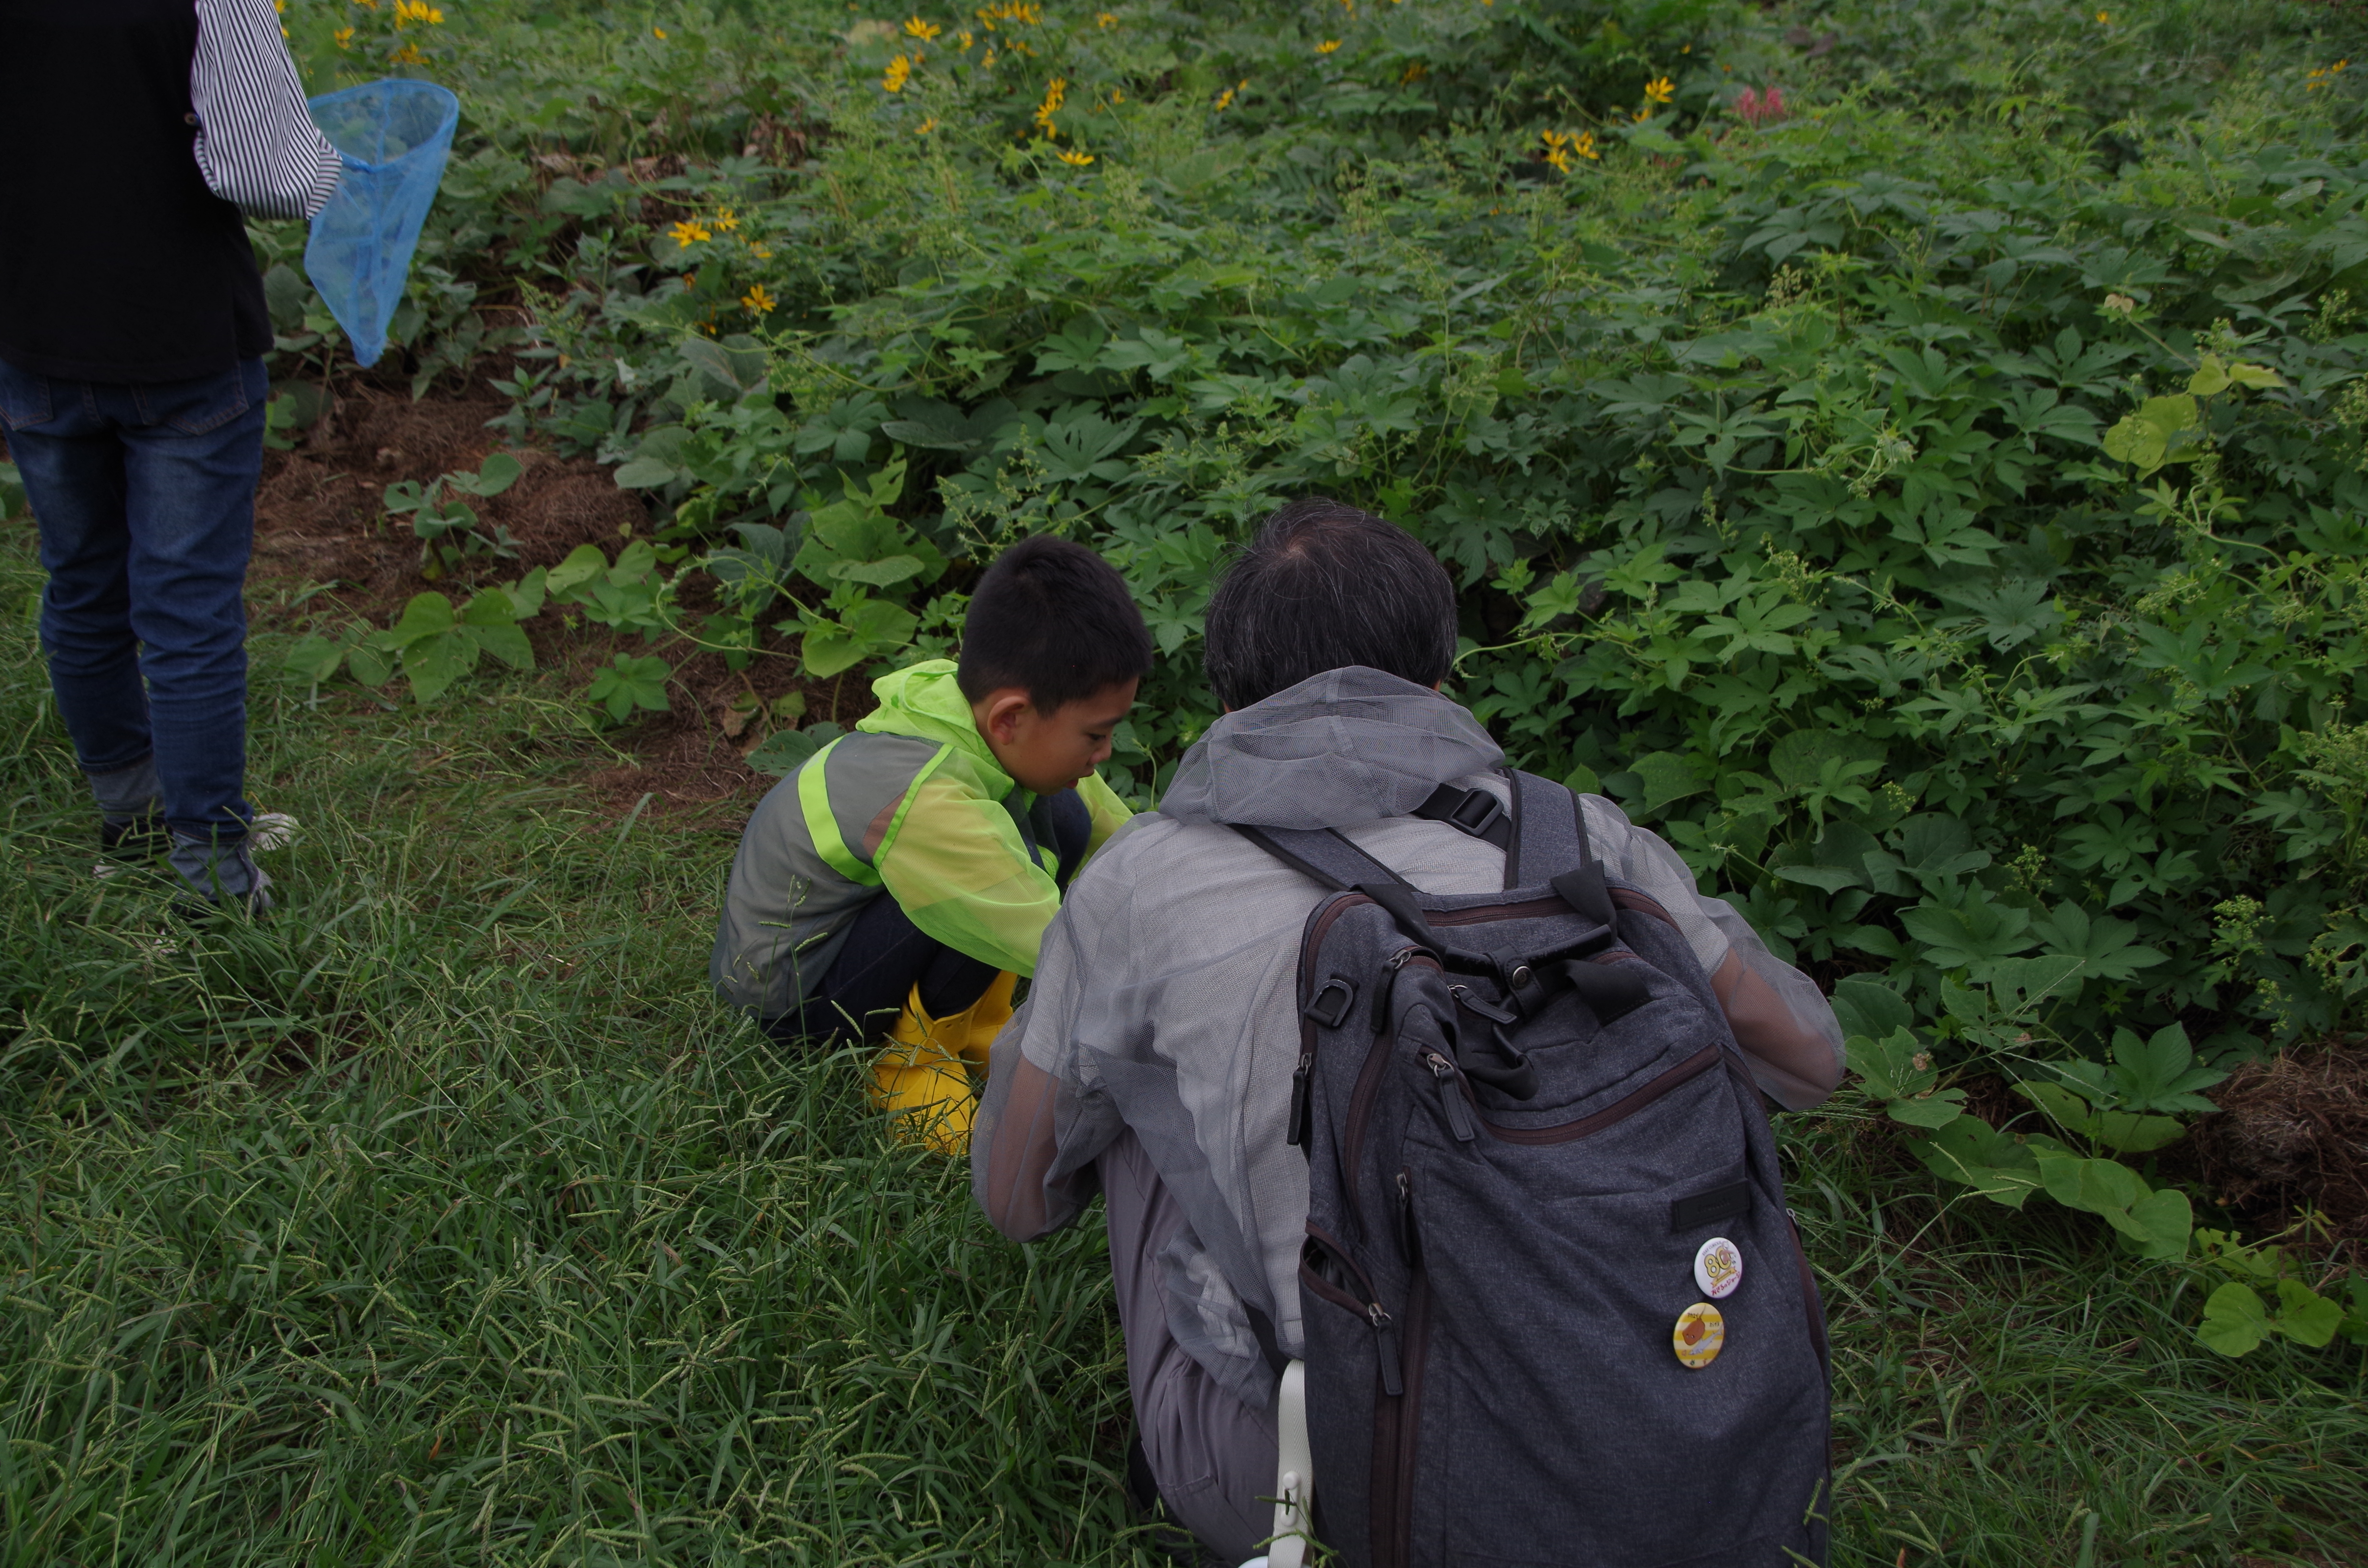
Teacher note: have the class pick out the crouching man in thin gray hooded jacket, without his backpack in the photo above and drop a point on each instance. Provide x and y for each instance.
(1154, 1058)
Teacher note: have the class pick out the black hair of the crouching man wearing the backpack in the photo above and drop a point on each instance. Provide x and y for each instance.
(1320, 589)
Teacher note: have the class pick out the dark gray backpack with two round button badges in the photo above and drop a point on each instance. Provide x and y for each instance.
(1552, 1297)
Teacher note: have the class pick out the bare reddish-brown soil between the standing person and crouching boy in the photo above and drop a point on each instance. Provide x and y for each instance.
(321, 520)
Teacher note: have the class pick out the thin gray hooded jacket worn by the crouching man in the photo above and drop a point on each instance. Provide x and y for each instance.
(1166, 989)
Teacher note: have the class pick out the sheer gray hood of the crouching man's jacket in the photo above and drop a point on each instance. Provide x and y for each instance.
(1332, 752)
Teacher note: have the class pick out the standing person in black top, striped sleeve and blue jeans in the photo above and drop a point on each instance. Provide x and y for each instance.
(134, 134)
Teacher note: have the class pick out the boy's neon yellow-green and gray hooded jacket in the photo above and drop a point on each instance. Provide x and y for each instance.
(910, 807)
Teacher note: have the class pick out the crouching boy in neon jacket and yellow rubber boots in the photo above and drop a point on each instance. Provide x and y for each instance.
(901, 880)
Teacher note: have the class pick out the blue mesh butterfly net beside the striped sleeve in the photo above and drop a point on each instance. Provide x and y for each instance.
(394, 139)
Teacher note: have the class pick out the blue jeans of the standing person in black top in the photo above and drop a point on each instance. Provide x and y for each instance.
(146, 501)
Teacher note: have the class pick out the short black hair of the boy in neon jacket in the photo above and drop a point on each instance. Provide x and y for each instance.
(1055, 622)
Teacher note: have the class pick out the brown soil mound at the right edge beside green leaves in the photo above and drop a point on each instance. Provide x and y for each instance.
(2293, 1136)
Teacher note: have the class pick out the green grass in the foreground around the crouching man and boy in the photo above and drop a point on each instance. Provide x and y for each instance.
(446, 1221)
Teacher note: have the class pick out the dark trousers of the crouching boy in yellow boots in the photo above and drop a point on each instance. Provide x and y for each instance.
(887, 958)
